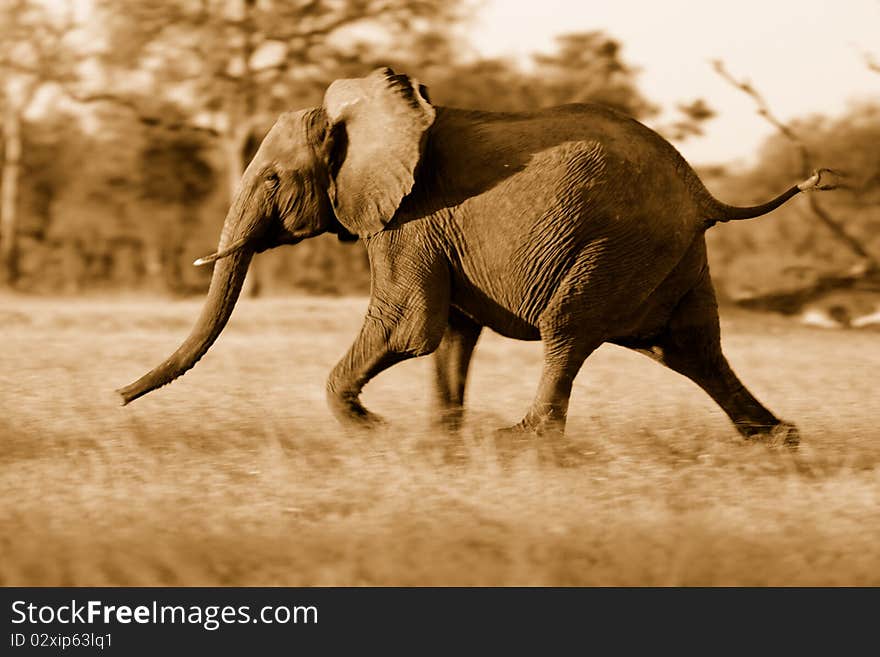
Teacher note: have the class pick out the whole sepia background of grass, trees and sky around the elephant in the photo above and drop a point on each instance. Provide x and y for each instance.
(125, 128)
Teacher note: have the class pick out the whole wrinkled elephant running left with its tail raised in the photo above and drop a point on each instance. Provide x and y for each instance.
(574, 225)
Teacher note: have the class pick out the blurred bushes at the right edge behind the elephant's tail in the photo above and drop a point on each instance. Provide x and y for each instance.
(796, 257)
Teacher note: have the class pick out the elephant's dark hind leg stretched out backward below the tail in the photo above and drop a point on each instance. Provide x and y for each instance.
(691, 345)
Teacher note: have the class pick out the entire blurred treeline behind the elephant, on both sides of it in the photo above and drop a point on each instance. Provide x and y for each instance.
(110, 186)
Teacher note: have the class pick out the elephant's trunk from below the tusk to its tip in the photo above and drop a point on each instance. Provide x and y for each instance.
(226, 283)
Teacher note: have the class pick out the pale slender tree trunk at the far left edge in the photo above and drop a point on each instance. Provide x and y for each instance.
(9, 195)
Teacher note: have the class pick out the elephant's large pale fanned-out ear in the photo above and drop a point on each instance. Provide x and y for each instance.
(384, 117)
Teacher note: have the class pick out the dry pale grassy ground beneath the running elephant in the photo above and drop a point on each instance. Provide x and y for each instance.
(237, 475)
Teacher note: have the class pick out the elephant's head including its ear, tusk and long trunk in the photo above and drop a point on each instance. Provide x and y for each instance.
(344, 167)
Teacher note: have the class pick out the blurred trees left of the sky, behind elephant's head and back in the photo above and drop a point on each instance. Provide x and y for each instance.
(122, 199)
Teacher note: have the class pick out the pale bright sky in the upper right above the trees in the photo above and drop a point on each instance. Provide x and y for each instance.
(805, 56)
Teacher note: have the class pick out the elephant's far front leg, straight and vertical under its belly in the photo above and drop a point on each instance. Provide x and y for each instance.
(451, 362)
